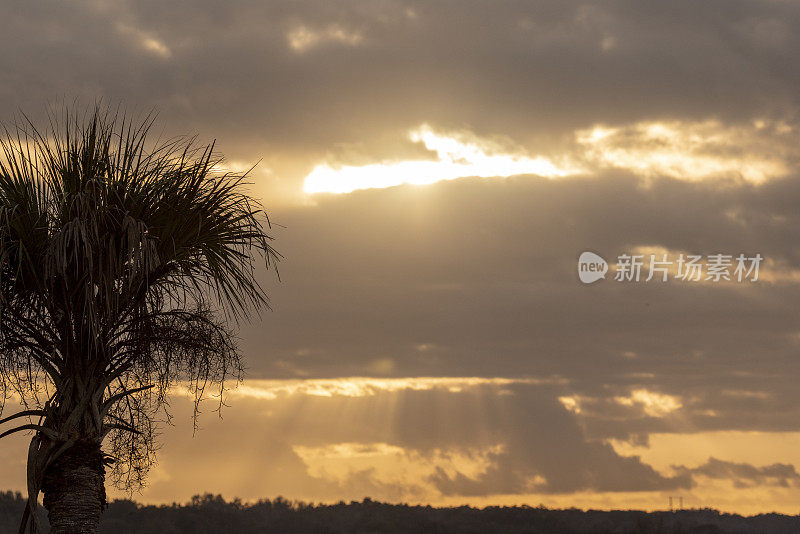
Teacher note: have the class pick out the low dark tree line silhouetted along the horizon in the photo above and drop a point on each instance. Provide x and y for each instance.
(206, 514)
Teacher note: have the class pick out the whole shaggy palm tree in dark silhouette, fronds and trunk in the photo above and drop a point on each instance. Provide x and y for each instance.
(124, 265)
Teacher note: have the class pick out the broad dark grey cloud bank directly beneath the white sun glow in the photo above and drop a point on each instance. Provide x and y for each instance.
(478, 278)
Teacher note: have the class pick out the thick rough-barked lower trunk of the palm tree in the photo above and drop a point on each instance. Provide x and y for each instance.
(74, 490)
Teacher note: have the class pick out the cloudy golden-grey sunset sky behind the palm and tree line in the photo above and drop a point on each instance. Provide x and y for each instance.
(433, 171)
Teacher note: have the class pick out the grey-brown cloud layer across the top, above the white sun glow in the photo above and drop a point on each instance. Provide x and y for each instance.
(299, 85)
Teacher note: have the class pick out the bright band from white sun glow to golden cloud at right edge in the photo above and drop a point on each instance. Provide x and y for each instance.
(755, 152)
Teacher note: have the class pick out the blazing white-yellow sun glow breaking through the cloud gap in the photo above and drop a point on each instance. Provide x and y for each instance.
(457, 157)
